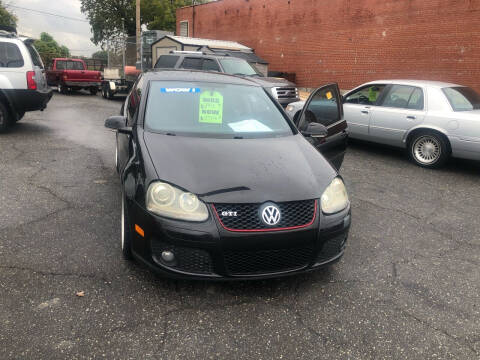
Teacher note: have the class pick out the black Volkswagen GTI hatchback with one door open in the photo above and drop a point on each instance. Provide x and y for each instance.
(218, 183)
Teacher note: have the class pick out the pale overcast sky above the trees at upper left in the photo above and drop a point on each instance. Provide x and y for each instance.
(73, 34)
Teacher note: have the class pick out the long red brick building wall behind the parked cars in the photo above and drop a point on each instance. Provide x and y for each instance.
(348, 41)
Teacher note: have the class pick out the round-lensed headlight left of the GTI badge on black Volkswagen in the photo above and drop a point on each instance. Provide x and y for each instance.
(166, 200)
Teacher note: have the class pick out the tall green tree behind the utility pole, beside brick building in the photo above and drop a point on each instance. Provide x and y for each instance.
(112, 18)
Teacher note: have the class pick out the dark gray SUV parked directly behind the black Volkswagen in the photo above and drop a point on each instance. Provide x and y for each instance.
(283, 90)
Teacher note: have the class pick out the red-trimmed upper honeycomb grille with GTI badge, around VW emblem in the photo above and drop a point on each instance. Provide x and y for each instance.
(293, 214)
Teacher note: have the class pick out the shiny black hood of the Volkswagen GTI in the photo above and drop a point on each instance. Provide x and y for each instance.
(241, 170)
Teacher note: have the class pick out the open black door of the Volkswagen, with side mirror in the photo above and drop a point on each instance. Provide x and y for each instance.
(323, 125)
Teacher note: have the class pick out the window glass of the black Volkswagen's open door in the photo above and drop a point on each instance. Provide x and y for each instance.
(322, 109)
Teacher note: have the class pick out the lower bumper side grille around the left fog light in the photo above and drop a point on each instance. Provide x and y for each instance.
(187, 259)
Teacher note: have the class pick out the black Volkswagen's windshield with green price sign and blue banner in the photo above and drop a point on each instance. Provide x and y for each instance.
(213, 110)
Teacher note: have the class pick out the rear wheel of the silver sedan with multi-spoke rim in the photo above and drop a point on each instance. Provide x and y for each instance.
(429, 149)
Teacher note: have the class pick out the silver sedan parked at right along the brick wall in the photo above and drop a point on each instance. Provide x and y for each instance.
(432, 120)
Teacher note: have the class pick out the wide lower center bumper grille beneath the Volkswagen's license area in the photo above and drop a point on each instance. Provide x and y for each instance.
(267, 261)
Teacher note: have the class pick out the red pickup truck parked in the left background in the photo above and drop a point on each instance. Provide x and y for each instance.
(72, 74)
